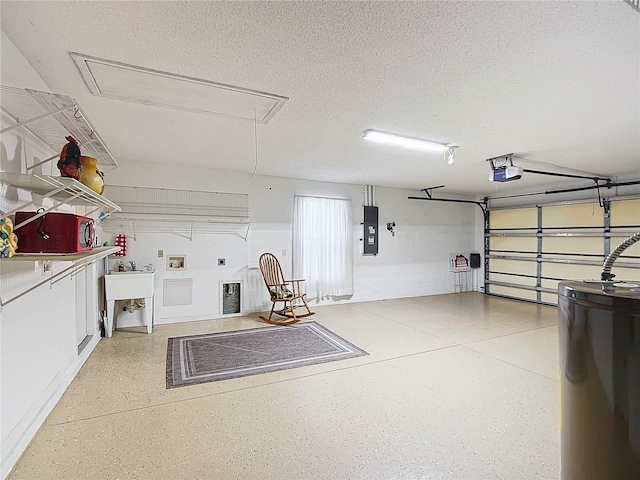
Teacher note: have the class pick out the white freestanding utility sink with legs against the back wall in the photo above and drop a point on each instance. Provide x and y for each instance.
(128, 285)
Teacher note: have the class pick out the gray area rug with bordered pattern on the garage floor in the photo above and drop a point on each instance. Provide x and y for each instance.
(219, 356)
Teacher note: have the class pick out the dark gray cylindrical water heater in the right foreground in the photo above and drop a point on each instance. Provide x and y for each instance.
(599, 334)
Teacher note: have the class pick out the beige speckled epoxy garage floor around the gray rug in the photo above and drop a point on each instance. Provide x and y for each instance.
(454, 386)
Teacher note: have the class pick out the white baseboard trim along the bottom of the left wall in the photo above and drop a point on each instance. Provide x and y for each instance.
(24, 432)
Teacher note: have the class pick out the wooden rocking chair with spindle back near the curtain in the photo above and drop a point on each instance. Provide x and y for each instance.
(286, 291)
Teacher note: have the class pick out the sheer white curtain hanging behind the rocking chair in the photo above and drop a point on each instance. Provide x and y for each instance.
(322, 246)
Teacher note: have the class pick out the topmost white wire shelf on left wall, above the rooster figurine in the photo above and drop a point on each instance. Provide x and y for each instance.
(51, 117)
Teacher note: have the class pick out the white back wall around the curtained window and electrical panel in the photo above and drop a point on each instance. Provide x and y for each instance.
(414, 262)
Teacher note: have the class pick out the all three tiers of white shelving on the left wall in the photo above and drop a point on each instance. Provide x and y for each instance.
(51, 117)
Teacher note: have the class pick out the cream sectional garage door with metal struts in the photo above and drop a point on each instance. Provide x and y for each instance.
(529, 250)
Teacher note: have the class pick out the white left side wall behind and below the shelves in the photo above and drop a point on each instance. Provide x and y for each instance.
(38, 350)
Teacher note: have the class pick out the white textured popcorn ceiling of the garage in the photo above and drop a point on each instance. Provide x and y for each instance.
(554, 82)
